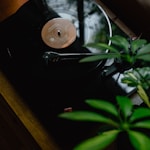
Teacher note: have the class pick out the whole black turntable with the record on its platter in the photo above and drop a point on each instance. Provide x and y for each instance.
(47, 73)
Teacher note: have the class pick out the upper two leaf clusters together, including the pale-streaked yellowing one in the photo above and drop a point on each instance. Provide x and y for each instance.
(131, 57)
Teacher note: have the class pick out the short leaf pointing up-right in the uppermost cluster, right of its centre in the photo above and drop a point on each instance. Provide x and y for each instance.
(136, 44)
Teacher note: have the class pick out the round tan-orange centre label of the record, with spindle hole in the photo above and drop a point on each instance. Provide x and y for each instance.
(58, 33)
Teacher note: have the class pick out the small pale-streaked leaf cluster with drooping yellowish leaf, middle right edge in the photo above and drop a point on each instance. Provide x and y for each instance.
(139, 78)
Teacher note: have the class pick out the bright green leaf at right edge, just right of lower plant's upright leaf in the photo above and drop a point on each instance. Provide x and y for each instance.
(140, 113)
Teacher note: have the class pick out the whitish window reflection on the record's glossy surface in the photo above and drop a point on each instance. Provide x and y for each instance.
(97, 27)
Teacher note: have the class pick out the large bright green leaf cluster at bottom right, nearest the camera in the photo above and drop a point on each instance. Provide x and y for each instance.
(121, 118)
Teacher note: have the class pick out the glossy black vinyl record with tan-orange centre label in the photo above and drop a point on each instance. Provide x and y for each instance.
(77, 23)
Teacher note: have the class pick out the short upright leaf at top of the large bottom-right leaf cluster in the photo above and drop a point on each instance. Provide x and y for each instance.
(125, 105)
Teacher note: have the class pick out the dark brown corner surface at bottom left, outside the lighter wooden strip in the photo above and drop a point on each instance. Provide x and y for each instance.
(13, 134)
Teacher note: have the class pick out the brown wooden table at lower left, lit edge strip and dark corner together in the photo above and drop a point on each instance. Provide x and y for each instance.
(19, 128)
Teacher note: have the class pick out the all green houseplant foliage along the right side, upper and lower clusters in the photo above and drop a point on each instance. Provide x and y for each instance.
(121, 117)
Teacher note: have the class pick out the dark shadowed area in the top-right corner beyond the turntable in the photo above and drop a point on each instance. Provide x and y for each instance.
(134, 14)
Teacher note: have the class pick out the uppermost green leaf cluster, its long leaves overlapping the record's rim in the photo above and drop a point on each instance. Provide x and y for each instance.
(121, 49)
